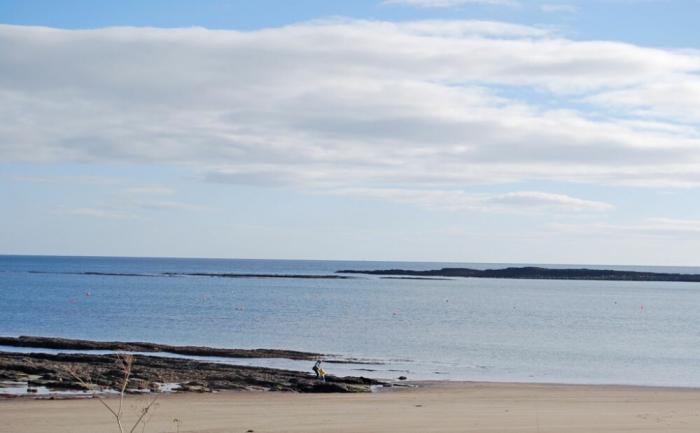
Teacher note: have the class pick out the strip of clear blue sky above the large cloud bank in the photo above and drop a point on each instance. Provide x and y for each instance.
(666, 23)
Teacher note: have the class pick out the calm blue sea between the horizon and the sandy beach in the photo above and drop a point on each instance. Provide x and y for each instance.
(639, 333)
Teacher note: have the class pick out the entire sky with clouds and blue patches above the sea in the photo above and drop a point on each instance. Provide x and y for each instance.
(504, 131)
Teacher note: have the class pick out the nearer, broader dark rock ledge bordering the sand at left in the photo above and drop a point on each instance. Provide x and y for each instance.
(59, 372)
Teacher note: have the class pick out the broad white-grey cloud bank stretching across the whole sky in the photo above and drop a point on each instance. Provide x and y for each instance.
(342, 104)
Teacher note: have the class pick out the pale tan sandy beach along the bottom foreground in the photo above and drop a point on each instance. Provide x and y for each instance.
(437, 407)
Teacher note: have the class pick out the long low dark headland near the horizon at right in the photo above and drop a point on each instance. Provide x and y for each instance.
(536, 273)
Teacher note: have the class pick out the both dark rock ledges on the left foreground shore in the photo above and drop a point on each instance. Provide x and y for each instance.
(71, 371)
